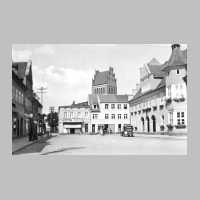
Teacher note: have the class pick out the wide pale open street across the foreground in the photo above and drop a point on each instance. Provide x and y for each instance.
(108, 145)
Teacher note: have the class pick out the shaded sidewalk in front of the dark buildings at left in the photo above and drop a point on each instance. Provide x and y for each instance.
(20, 143)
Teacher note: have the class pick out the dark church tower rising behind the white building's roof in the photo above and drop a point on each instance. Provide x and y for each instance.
(104, 82)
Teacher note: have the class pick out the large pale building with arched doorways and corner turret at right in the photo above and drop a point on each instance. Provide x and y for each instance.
(160, 103)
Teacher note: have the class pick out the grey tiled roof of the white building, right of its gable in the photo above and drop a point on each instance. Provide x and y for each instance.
(112, 98)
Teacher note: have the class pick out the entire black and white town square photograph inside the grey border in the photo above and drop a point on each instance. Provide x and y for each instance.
(99, 99)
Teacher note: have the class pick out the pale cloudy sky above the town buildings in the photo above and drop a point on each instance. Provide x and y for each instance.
(66, 70)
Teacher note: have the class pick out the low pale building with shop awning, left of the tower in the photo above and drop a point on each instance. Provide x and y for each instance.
(74, 118)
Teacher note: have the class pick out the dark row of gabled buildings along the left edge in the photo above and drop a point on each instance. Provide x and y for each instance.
(24, 105)
